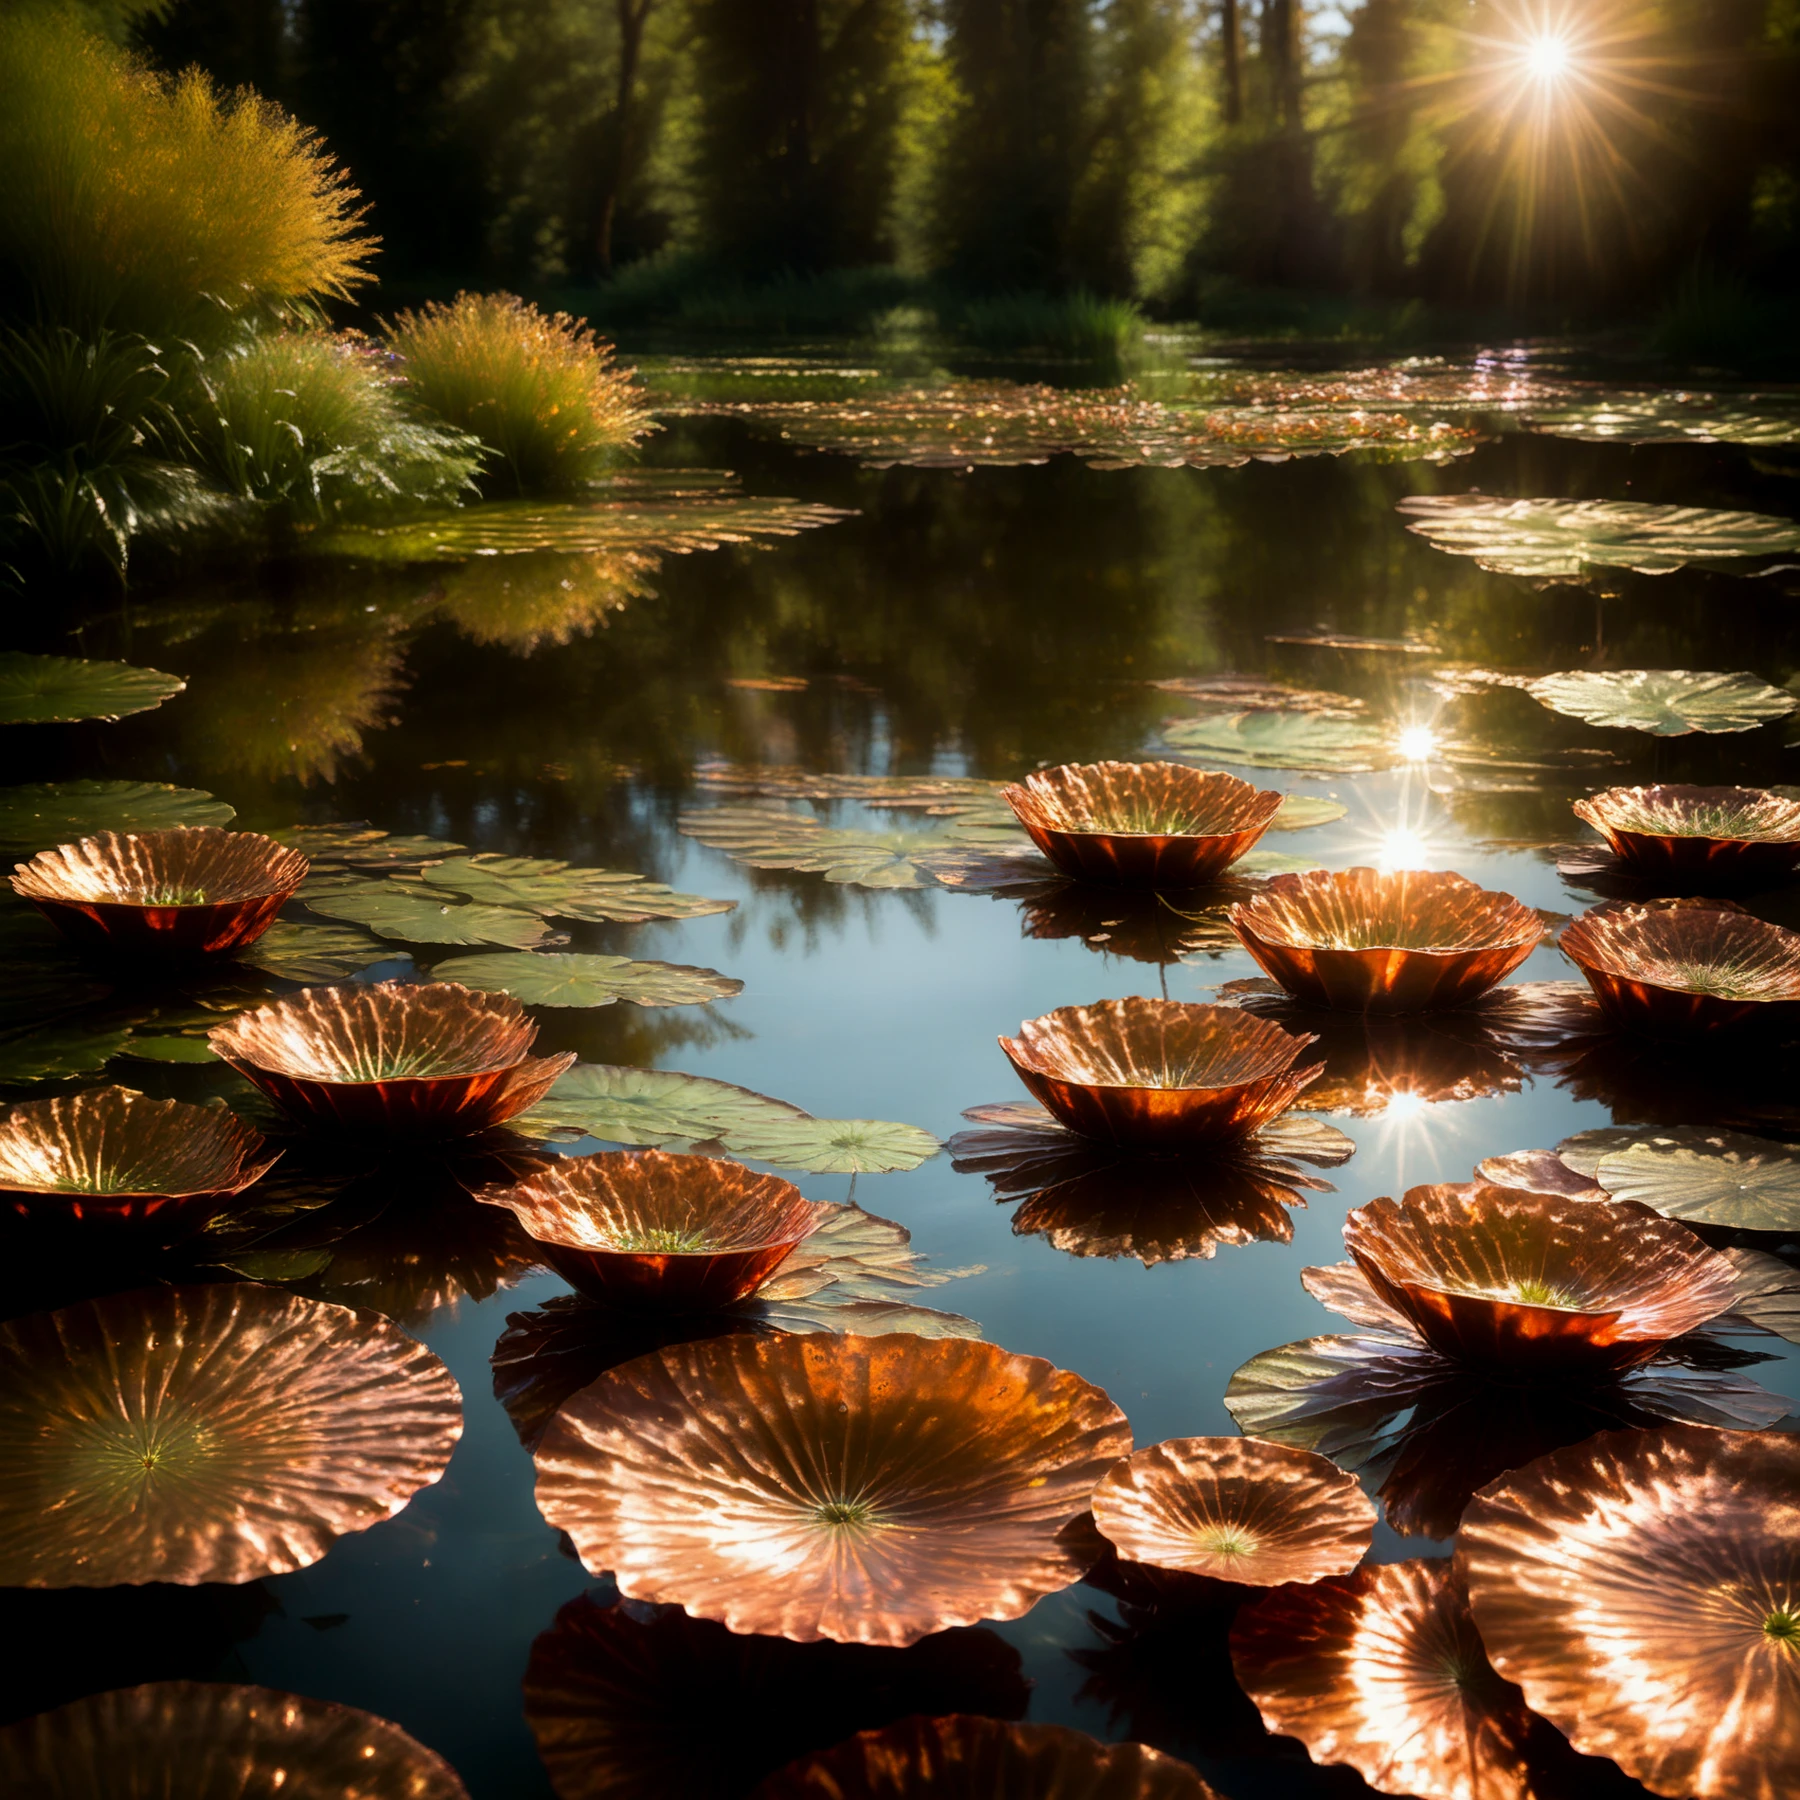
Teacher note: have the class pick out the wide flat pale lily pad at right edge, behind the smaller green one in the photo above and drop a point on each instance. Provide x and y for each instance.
(1567, 539)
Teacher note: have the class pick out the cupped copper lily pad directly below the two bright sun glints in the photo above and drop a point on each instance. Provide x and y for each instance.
(1365, 942)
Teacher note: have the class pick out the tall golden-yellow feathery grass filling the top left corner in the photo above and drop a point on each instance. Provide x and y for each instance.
(141, 204)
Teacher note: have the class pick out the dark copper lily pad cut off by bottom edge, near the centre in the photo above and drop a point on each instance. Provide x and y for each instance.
(967, 1758)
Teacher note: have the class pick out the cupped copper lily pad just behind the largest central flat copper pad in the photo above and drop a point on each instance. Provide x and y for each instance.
(656, 1232)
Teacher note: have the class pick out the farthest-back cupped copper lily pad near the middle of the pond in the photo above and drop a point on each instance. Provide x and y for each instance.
(1142, 825)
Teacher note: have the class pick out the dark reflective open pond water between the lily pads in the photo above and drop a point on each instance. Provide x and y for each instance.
(960, 624)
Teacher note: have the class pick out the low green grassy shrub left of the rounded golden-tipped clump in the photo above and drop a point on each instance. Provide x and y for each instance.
(319, 426)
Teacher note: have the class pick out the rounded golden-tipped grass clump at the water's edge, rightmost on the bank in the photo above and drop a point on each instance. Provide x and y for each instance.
(539, 390)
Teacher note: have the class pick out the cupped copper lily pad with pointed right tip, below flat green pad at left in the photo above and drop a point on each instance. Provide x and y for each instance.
(393, 1057)
